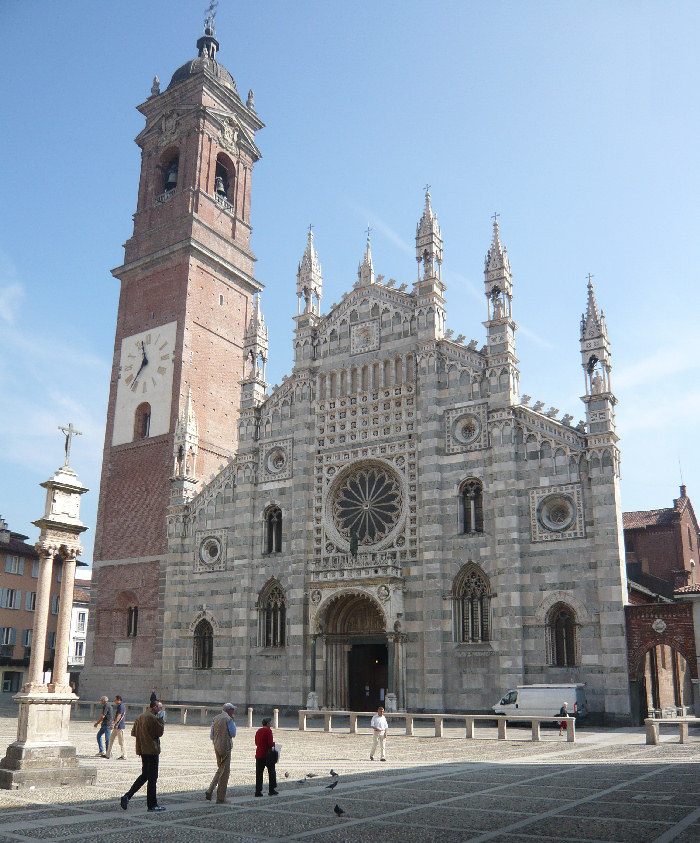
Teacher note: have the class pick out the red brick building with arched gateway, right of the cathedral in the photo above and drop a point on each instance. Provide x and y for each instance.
(661, 551)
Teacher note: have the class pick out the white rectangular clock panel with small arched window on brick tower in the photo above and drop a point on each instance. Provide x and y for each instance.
(144, 389)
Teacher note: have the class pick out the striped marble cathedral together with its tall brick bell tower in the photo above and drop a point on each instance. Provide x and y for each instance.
(394, 523)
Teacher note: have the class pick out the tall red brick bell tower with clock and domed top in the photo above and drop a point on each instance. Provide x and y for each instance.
(187, 291)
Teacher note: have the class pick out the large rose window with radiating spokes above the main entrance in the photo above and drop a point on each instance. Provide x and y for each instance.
(366, 503)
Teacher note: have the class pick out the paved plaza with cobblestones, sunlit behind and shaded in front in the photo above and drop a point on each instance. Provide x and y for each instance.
(608, 786)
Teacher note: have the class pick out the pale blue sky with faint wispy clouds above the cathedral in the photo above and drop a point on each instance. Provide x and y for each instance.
(577, 122)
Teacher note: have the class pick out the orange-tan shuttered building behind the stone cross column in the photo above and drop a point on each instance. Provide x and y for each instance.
(19, 570)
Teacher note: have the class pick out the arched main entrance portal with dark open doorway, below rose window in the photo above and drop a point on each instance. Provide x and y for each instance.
(357, 658)
